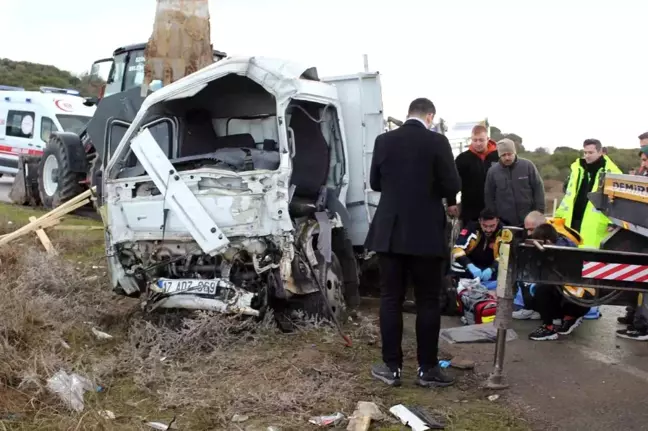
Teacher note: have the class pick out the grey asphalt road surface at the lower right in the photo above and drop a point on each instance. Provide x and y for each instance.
(590, 380)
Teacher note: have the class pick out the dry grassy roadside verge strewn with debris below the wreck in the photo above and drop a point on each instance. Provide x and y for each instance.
(202, 370)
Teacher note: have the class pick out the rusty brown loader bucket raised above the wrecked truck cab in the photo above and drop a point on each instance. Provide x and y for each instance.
(180, 43)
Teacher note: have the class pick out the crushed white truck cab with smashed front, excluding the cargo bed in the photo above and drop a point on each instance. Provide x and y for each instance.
(196, 196)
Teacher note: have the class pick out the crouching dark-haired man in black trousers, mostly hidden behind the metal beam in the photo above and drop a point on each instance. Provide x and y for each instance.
(548, 299)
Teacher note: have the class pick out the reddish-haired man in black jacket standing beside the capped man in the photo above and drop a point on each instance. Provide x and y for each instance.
(472, 165)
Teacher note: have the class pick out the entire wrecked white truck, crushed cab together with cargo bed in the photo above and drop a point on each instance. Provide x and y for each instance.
(239, 187)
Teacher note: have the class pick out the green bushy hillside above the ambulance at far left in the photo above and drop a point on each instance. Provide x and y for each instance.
(32, 76)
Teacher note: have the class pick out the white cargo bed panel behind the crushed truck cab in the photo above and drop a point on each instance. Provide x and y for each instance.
(360, 97)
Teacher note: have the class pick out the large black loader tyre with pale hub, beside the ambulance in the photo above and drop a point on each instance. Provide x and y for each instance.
(56, 181)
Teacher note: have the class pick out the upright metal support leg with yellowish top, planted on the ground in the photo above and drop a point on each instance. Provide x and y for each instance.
(504, 317)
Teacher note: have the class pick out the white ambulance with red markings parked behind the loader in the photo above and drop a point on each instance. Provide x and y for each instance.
(27, 118)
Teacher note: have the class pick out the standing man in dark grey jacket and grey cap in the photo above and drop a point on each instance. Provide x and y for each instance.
(514, 187)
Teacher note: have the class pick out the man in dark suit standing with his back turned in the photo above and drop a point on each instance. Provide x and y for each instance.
(414, 170)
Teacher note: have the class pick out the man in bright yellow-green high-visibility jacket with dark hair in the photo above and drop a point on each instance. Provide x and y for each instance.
(585, 177)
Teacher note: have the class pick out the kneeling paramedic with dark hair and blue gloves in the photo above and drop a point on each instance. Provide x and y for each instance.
(475, 252)
